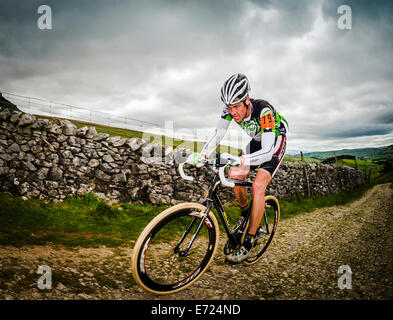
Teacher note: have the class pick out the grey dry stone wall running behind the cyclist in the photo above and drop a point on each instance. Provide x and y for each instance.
(55, 159)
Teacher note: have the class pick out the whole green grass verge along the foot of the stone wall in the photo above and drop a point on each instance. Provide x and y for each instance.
(88, 221)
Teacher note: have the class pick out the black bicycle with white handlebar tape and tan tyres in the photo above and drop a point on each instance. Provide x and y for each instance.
(178, 245)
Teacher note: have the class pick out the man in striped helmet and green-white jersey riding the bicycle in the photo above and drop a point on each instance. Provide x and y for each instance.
(264, 153)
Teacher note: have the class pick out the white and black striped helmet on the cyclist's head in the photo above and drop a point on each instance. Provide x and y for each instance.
(235, 89)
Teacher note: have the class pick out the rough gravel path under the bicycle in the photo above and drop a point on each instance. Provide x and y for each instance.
(302, 262)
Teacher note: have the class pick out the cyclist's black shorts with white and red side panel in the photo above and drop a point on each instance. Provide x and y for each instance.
(278, 155)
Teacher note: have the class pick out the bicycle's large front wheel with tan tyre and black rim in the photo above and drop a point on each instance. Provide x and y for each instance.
(152, 256)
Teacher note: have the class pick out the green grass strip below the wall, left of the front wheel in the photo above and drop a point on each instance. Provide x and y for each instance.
(85, 221)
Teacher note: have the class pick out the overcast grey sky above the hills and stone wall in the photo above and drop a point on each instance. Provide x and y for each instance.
(166, 60)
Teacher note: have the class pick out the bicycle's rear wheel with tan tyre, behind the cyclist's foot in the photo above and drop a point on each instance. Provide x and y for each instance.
(272, 210)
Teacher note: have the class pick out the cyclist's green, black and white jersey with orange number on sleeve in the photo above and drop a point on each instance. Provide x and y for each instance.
(264, 125)
